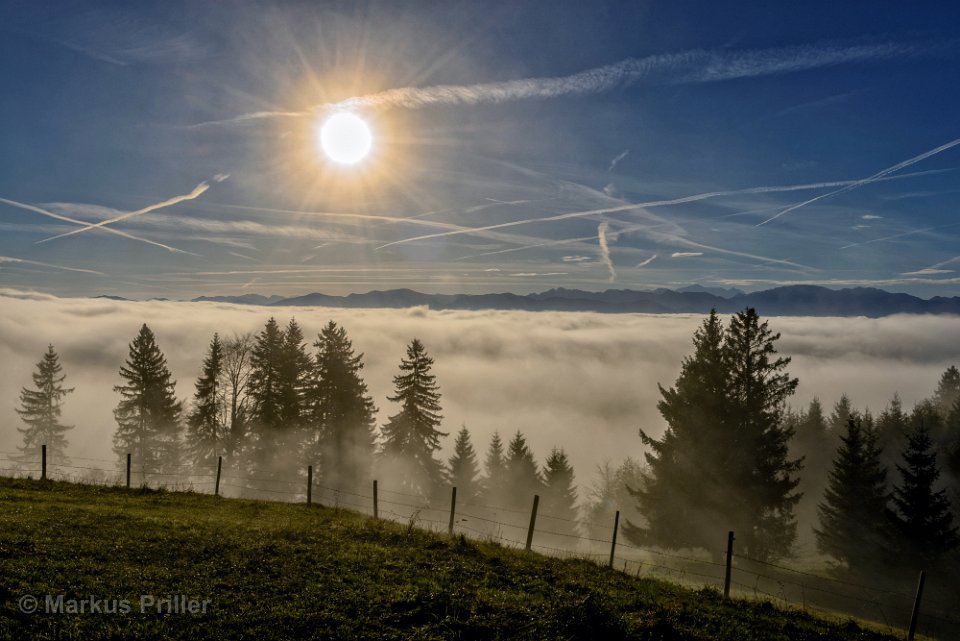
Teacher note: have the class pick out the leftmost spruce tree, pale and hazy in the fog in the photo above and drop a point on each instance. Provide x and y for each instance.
(40, 411)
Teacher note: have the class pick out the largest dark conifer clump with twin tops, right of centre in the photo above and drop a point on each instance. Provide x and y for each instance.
(723, 461)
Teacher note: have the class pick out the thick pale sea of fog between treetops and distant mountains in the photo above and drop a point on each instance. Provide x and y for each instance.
(585, 382)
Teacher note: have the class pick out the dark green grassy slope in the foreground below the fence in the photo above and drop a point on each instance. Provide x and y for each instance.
(282, 571)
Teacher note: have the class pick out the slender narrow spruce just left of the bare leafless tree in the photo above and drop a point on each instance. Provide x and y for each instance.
(206, 423)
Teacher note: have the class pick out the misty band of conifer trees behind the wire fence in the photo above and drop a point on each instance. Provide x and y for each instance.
(878, 490)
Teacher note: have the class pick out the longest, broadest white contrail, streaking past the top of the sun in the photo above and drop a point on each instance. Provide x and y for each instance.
(694, 66)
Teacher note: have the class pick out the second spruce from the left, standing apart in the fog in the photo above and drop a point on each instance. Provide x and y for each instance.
(148, 414)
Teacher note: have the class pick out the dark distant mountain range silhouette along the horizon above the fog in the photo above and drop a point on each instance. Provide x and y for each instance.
(793, 300)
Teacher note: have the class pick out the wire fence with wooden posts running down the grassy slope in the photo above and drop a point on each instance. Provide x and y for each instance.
(552, 535)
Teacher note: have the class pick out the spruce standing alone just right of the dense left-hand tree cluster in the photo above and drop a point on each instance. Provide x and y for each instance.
(411, 437)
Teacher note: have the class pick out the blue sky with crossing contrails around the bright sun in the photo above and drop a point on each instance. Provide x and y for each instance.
(518, 146)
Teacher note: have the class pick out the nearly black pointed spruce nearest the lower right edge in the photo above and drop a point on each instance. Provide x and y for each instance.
(924, 521)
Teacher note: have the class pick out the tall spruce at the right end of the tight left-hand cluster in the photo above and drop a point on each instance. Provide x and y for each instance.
(341, 413)
